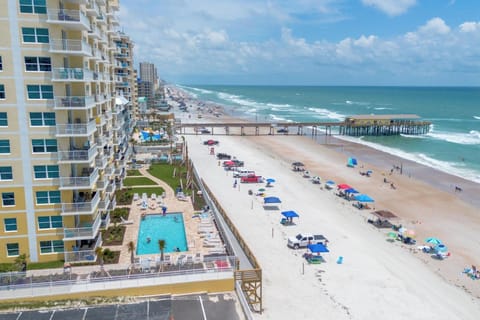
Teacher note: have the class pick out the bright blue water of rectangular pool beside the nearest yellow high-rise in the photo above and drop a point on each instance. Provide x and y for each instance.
(169, 228)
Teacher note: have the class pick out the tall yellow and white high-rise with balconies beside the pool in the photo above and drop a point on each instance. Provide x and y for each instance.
(63, 136)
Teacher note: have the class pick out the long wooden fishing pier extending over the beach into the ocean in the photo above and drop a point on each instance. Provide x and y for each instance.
(359, 125)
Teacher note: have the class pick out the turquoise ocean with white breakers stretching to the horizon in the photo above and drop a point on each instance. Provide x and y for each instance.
(452, 145)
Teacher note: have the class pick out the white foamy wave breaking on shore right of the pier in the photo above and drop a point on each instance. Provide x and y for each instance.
(453, 168)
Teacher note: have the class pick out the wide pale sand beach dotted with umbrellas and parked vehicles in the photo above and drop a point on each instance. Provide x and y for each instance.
(377, 278)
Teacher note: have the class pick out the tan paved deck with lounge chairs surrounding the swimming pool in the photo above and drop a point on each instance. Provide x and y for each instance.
(195, 241)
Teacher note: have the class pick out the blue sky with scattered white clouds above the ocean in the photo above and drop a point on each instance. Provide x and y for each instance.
(307, 42)
